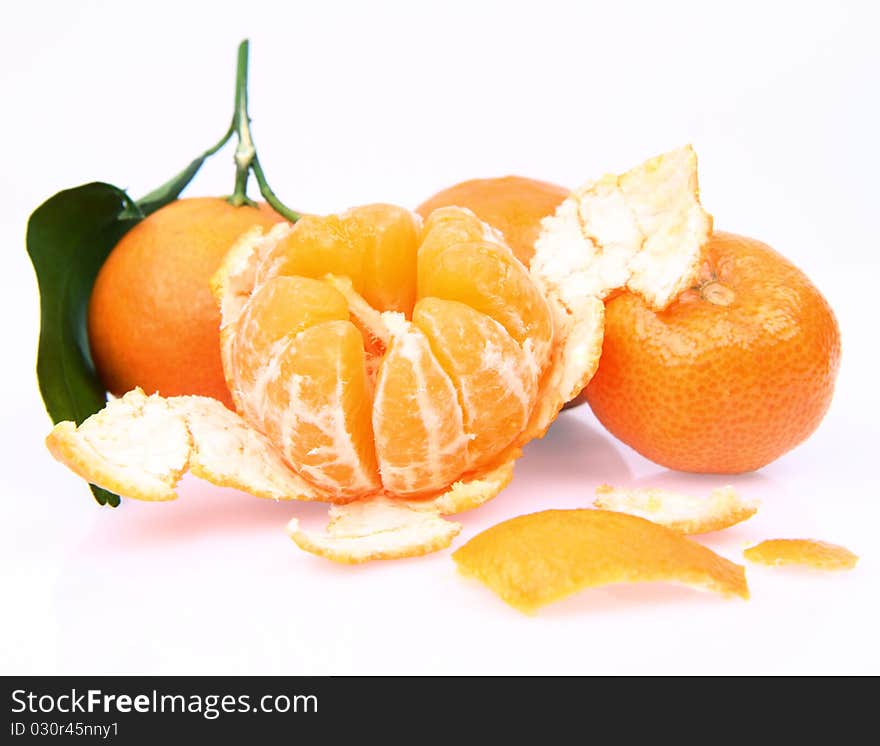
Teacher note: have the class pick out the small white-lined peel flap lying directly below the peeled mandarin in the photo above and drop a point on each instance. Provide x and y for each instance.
(376, 528)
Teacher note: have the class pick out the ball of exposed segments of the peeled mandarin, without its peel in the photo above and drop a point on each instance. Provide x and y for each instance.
(384, 357)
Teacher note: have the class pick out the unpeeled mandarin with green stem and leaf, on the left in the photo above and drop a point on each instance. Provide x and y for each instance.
(152, 320)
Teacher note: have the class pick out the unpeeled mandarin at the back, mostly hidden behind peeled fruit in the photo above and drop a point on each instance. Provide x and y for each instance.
(514, 205)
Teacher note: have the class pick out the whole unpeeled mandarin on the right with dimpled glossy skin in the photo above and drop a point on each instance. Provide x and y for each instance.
(735, 373)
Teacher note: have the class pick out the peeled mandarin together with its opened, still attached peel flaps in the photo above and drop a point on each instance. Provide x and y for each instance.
(324, 361)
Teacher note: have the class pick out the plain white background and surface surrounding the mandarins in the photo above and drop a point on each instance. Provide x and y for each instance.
(366, 102)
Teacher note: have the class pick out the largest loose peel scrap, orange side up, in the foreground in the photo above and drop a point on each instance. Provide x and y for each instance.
(535, 559)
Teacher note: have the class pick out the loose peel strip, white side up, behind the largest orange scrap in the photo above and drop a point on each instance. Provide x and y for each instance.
(689, 515)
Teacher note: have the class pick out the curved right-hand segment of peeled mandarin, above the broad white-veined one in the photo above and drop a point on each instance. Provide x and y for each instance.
(489, 278)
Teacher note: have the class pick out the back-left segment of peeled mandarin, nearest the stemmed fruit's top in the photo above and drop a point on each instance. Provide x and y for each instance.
(317, 246)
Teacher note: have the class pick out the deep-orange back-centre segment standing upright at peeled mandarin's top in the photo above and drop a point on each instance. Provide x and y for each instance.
(389, 264)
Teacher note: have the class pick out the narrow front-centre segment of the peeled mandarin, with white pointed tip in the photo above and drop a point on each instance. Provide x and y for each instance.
(417, 420)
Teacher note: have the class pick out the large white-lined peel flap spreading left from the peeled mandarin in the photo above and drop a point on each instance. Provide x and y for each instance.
(140, 446)
